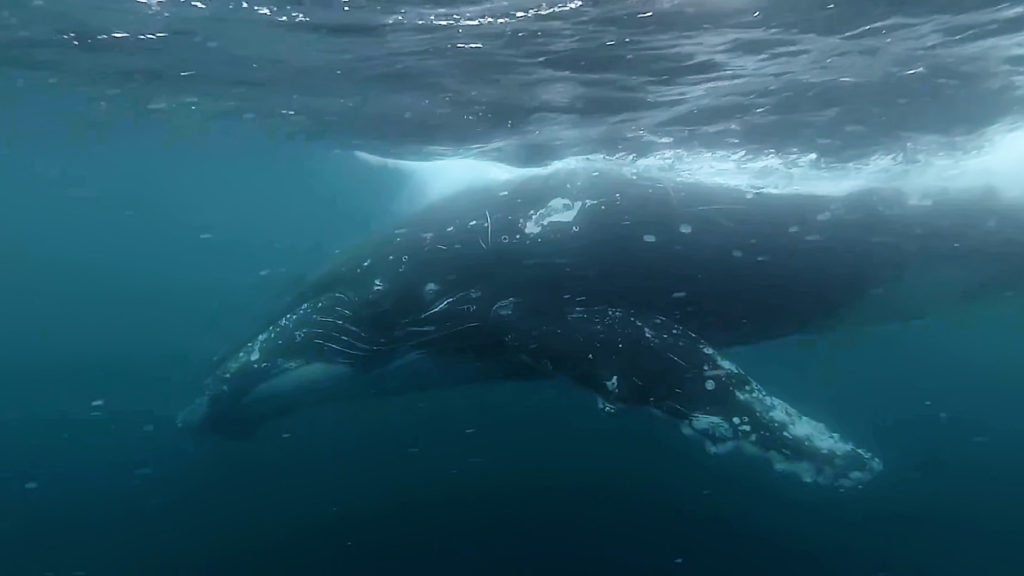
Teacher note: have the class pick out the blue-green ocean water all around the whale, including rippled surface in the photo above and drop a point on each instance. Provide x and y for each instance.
(170, 172)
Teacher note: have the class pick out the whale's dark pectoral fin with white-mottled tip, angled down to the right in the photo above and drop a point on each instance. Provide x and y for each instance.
(646, 360)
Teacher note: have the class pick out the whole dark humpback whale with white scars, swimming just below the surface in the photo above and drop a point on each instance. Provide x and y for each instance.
(628, 289)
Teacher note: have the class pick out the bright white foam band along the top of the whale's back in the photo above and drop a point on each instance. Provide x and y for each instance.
(990, 159)
